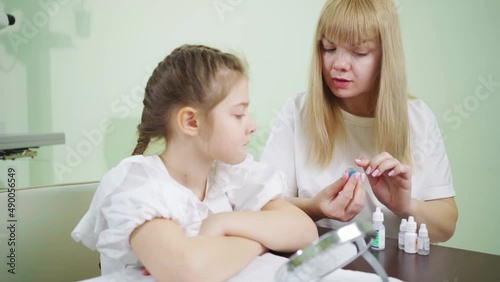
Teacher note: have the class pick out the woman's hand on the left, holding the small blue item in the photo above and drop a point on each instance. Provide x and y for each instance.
(343, 199)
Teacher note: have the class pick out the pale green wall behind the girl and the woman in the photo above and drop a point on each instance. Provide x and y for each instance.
(79, 67)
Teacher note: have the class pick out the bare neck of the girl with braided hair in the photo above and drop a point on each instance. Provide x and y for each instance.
(187, 167)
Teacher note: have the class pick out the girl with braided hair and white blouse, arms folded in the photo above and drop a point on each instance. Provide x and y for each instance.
(202, 209)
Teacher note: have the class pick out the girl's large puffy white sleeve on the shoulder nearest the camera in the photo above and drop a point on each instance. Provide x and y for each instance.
(128, 195)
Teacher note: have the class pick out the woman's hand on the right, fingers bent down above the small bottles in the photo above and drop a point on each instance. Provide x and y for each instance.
(390, 181)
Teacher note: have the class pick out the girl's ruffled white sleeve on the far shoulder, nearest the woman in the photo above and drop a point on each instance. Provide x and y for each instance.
(250, 185)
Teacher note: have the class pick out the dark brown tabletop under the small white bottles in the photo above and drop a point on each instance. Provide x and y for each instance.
(443, 264)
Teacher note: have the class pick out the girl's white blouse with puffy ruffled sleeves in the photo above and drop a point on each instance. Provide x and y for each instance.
(140, 188)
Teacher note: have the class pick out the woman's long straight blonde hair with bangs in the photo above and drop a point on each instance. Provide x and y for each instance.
(352, 22)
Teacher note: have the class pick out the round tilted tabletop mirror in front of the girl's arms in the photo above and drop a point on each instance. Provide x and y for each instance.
(331, 251)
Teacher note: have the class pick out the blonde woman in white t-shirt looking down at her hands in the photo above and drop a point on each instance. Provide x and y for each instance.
(357, 113)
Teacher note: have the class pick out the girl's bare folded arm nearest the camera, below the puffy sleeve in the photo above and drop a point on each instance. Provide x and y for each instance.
(169, 255)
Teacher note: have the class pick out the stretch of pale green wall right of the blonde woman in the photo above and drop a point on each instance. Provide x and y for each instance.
(453, 64)
